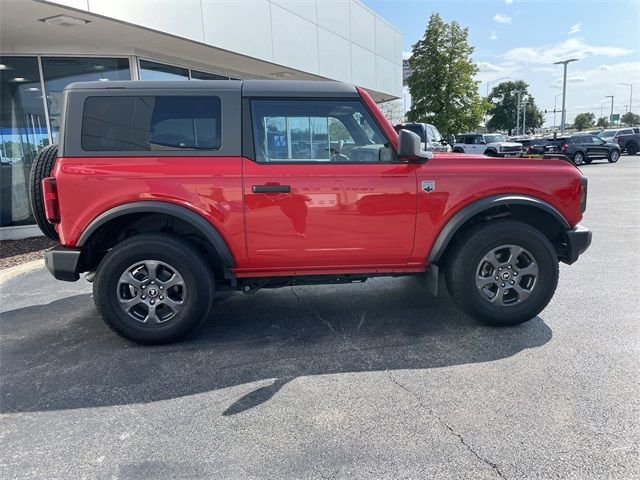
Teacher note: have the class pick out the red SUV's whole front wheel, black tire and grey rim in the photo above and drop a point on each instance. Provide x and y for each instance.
(467, 262)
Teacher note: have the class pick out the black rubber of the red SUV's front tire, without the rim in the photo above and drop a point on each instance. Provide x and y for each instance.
(478, 245)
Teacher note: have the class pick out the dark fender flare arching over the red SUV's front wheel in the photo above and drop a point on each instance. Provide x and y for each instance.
(461, 217)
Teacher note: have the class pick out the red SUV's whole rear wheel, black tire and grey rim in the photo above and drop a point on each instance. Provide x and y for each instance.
(178, 312)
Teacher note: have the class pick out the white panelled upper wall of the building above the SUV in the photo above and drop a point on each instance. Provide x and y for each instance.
(337, 39)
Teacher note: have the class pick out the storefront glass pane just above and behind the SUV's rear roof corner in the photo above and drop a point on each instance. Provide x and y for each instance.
(59, 72)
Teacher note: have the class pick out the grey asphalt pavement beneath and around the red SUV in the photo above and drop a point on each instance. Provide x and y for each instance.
(378, 380)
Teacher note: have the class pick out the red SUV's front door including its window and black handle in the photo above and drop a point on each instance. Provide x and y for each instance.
(324, 190)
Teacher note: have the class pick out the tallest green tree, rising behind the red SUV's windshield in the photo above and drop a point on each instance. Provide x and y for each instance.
(443, 90)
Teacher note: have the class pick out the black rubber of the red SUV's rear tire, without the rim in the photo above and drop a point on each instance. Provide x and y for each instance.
(179, 255)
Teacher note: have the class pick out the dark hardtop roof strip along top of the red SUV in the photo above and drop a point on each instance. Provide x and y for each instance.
(249, 88)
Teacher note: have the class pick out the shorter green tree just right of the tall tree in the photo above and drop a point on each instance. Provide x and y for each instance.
(504, 101)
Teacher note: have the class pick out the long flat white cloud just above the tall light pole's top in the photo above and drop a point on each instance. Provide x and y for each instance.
(573, 48)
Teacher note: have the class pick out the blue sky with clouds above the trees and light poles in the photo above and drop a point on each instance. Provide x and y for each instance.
(521, 39)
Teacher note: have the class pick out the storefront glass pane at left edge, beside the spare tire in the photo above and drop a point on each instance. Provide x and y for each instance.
(23, 132)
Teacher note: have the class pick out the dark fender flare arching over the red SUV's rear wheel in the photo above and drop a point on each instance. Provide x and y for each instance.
(183, 213)
